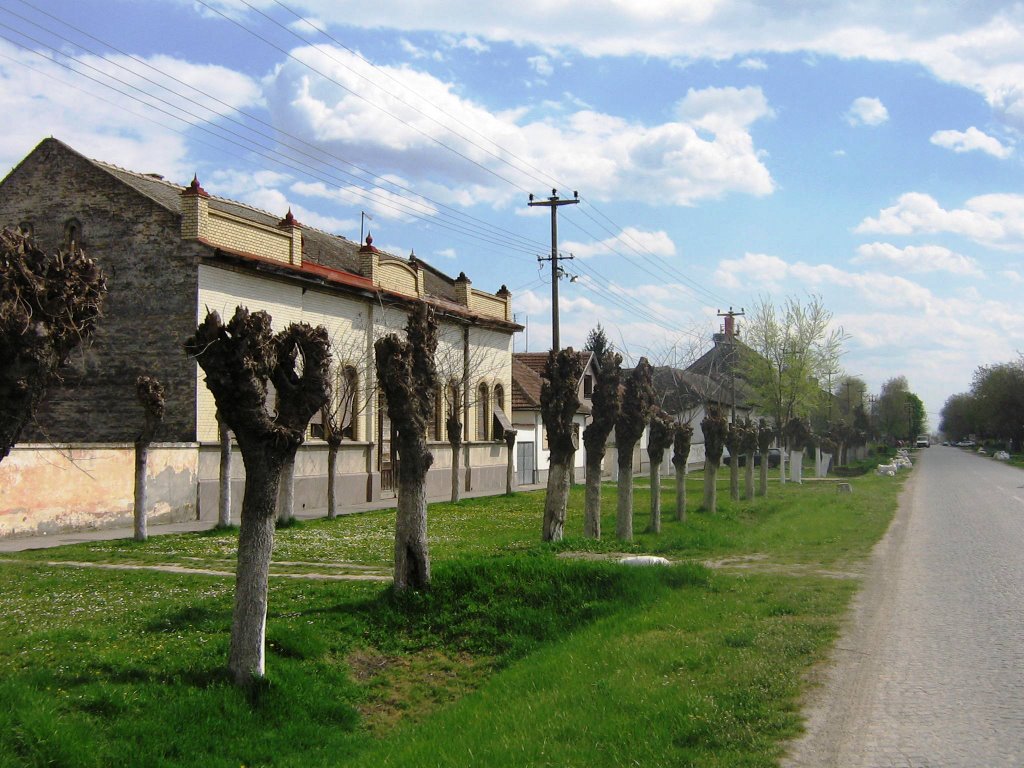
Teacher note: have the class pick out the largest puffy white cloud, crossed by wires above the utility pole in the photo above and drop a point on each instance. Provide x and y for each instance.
(707, 153)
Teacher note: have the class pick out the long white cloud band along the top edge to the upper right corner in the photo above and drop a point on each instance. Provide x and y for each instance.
(974, 46)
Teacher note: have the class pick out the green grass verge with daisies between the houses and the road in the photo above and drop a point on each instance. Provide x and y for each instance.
(522, 654)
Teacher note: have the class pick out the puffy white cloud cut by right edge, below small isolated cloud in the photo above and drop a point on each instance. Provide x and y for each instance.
(995, 221)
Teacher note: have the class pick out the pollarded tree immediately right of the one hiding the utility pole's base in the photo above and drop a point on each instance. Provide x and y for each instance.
(607, 402)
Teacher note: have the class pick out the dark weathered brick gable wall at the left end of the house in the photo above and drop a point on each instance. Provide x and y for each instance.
(150, 309)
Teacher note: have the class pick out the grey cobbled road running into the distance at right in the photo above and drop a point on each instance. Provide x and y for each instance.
(930, 669)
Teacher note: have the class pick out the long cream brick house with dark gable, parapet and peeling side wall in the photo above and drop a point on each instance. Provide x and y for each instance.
(170, 253)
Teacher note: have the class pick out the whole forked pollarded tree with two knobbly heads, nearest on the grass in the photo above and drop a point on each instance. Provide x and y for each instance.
(240, 360)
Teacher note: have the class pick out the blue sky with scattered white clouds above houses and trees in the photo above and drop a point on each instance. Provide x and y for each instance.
(727, 153)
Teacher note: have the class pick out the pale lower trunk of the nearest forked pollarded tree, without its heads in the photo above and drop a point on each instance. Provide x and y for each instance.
(246, 656)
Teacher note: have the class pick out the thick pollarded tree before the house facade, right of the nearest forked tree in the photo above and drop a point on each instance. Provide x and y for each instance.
(408, 377)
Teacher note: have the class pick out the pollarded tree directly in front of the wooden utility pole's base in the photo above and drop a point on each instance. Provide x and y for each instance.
(560, 403)
